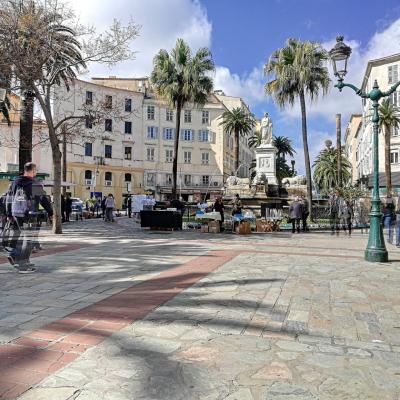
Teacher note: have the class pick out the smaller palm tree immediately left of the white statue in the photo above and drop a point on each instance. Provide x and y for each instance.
(239, 122)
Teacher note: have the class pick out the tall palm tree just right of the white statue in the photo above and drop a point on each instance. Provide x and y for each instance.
(298, 71)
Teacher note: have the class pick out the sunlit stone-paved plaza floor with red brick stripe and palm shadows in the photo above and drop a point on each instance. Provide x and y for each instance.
(119, 313)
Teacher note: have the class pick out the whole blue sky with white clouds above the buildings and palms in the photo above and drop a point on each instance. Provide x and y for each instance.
(242, 34)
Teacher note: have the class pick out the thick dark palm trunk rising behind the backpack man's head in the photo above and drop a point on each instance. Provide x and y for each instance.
(25, 129)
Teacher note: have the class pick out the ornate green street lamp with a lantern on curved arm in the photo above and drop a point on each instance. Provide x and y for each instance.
(376, 249)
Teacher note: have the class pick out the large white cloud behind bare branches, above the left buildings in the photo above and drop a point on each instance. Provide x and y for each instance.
(162, 22)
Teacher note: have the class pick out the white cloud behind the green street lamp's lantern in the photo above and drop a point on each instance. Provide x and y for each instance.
(382, 44)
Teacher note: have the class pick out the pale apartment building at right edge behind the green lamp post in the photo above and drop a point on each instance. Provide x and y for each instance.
(386, 72)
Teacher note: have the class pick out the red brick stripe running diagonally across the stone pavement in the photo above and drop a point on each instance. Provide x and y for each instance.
(26, 361)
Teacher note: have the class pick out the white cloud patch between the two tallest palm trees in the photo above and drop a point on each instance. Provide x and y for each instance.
(250, 87)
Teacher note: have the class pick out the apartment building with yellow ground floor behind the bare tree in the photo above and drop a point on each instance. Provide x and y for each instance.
(105, 156)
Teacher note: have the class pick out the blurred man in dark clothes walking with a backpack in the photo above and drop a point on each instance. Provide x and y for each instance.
(23, 200)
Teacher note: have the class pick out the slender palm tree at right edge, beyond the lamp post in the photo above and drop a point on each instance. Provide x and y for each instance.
(389, 118)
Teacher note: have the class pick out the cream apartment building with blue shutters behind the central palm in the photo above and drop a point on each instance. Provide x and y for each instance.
(205, 157)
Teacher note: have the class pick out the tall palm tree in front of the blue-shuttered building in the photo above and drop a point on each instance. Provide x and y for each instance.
(180, 78)
